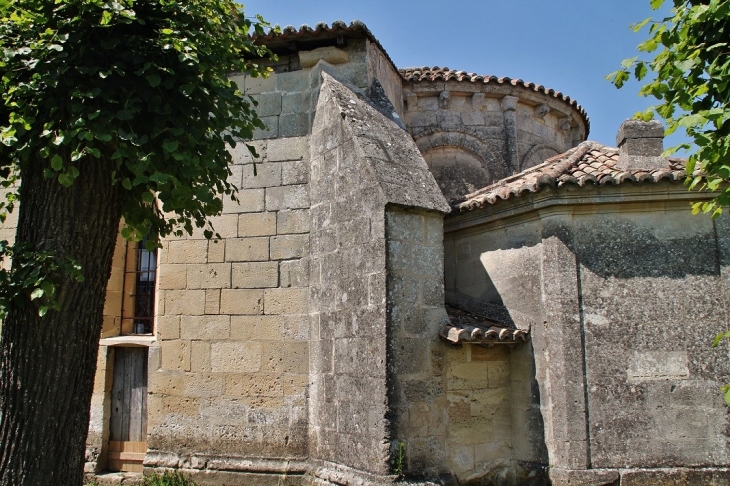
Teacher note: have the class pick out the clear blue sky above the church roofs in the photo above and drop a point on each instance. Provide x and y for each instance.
(567, 45)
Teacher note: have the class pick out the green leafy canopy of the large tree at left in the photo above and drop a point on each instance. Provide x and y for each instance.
(139, 84)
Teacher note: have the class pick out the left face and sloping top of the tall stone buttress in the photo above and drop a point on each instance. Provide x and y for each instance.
(362, 163)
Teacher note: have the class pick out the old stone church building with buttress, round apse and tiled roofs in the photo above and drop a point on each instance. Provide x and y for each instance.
(431, 276)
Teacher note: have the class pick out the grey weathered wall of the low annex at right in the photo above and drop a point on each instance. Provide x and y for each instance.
(628, 380)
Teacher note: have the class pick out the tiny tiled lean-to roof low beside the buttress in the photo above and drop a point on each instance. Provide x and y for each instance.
(468, 327)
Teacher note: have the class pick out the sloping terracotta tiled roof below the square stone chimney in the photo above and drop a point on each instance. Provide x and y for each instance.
(588, 162)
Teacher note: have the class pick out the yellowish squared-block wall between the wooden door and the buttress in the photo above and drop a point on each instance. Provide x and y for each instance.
(226, 347)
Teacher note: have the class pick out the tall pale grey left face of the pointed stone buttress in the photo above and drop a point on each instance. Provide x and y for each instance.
(348, 400)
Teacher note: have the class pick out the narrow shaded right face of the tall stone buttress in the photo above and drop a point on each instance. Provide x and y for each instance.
(416, 314)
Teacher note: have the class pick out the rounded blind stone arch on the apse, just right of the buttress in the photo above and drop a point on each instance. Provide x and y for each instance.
(460, 163)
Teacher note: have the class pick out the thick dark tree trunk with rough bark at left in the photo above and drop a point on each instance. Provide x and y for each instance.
(47, 364)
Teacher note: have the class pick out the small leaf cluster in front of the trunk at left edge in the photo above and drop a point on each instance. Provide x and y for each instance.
(34, 278)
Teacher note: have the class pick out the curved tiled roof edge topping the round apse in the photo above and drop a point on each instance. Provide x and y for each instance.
(445, 74)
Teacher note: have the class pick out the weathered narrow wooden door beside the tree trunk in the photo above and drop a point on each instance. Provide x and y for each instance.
(128, 423)
